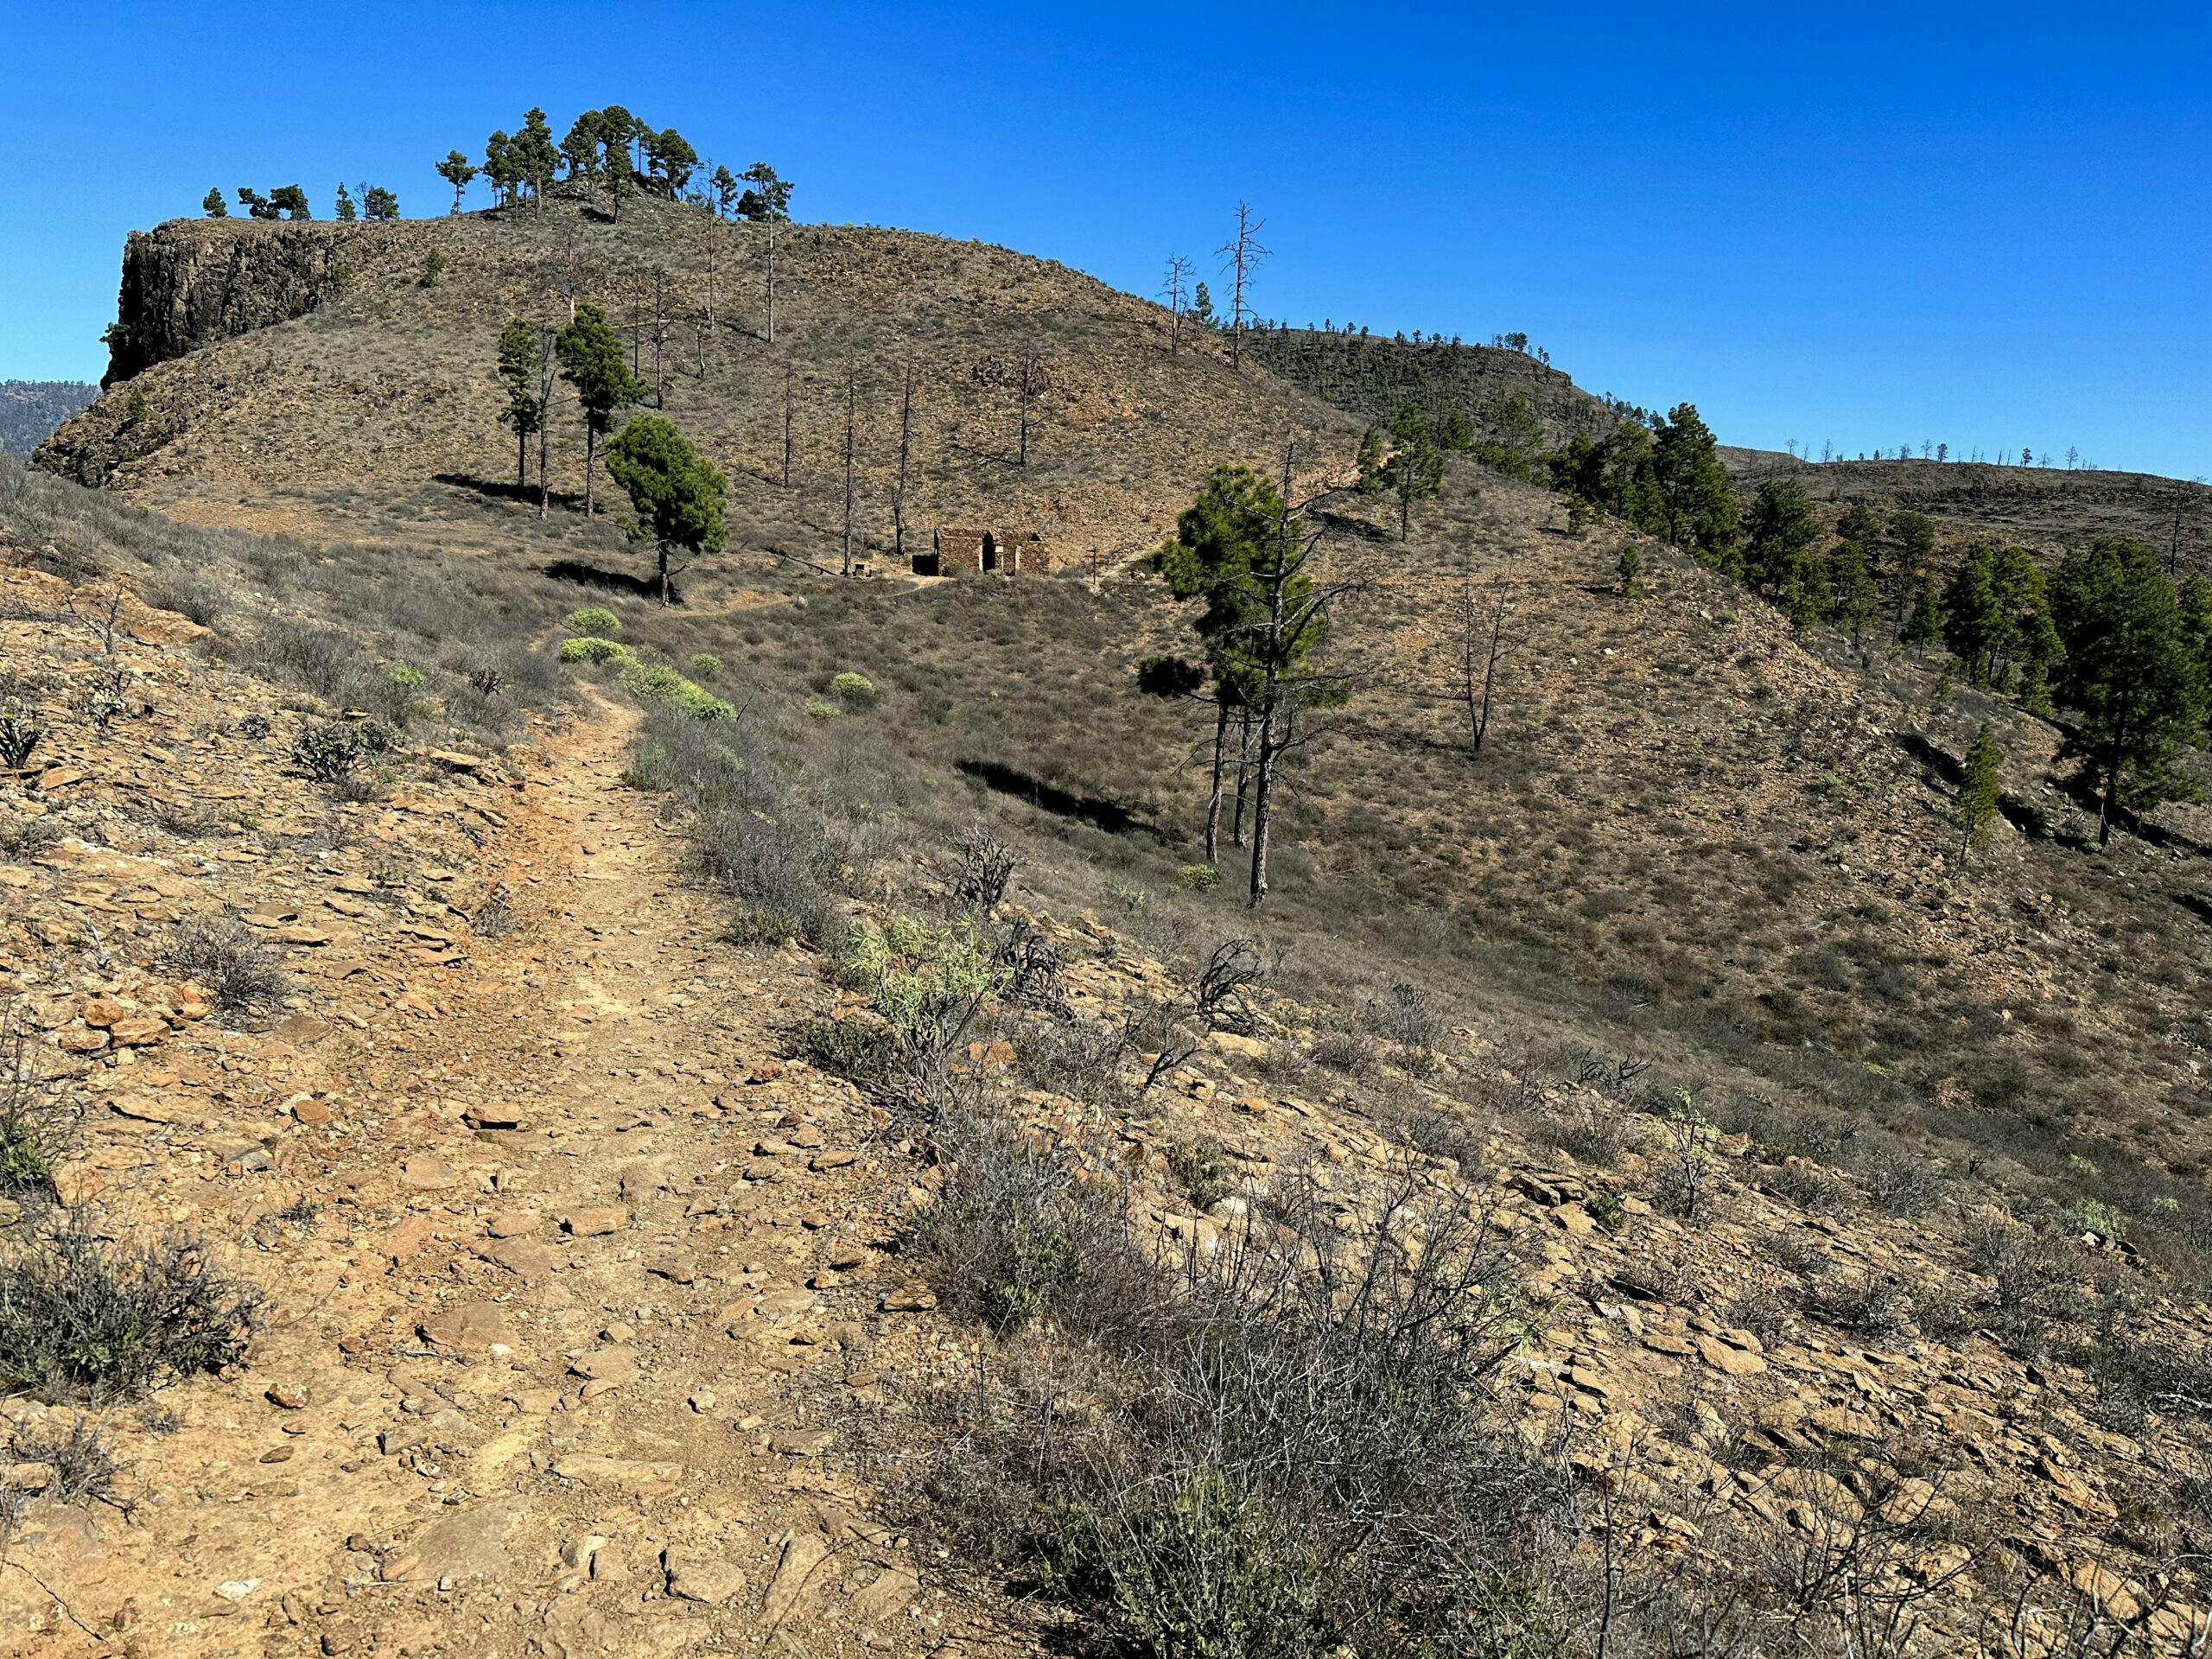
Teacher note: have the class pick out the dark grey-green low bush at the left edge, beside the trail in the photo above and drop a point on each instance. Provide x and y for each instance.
(92, 1319)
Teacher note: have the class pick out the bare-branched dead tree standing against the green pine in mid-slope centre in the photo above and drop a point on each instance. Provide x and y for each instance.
(1293, 618)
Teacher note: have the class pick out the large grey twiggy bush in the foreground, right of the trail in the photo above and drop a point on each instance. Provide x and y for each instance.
(1286, 1448)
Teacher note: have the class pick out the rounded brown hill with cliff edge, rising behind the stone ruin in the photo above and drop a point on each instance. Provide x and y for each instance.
(322, 375)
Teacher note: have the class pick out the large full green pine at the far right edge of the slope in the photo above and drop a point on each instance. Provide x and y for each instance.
(2127, 674)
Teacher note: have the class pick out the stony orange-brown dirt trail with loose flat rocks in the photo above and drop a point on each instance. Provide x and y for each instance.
(572, 1282)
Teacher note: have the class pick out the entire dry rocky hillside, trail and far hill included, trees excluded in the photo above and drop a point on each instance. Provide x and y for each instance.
(795, 1173)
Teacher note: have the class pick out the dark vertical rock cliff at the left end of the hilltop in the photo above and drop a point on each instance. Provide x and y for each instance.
(196, 282)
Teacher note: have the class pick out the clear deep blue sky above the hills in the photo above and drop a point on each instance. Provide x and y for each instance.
(1872, 225)
